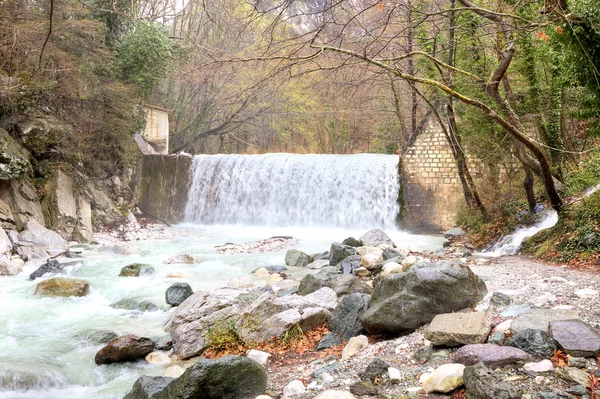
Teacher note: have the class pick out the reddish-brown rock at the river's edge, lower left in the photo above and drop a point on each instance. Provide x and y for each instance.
(125, 348)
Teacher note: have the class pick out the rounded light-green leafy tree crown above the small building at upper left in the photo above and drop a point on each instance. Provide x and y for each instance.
(145, 56)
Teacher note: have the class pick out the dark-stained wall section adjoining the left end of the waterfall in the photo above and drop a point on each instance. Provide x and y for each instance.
(163, 185)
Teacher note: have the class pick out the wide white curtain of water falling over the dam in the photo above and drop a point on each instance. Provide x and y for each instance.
(349, 191)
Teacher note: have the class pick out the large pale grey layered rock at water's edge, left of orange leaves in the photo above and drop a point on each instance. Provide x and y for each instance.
(202, 316)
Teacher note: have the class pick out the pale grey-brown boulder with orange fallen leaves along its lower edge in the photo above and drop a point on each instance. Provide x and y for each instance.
(271, 316)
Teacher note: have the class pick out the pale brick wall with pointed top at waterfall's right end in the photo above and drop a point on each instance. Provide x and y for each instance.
(432, 191)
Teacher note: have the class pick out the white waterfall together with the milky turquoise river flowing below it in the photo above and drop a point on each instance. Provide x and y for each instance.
(44, 352)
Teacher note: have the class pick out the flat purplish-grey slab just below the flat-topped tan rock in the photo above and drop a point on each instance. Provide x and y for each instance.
(491, 355)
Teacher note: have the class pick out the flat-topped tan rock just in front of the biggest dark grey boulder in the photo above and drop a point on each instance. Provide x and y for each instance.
(454, 329)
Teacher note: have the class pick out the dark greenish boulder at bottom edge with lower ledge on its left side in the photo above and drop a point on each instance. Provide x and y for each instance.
(227, 377)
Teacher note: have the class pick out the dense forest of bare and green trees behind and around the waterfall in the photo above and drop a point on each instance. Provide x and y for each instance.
(514, 84)
